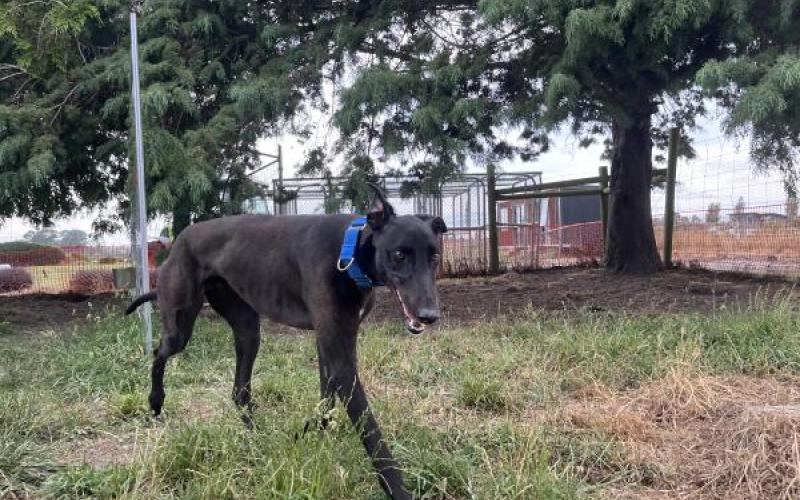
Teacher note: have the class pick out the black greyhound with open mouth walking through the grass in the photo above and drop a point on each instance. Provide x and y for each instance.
(286, 268)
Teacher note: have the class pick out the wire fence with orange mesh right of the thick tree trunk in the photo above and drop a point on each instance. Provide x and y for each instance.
(731, 216)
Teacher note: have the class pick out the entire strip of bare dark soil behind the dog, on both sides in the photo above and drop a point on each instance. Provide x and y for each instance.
(472, 299)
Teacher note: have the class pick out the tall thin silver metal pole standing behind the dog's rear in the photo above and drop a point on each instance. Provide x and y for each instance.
(144, 270)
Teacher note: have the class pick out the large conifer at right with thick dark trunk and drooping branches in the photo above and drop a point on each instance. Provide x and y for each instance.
(436, 81)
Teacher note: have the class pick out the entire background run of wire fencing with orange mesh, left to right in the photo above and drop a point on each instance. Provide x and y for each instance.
(728, 217)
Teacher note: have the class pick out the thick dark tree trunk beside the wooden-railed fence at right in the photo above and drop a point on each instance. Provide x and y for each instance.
(630, 242)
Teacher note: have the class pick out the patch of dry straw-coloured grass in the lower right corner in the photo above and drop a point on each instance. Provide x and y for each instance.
(702, 436)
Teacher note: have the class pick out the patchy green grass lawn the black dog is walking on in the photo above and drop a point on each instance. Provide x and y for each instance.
(485, 411)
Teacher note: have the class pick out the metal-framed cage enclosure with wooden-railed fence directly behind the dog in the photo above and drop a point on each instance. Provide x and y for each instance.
(559, 229)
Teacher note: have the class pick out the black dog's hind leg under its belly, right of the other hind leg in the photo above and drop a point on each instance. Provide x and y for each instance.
(244, 322)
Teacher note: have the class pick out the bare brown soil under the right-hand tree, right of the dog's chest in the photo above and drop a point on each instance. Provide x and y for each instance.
(571, 289)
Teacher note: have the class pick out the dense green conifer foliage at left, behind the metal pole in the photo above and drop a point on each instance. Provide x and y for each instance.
(65, 117)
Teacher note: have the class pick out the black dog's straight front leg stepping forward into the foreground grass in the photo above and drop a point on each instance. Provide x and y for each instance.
(338, 373)
